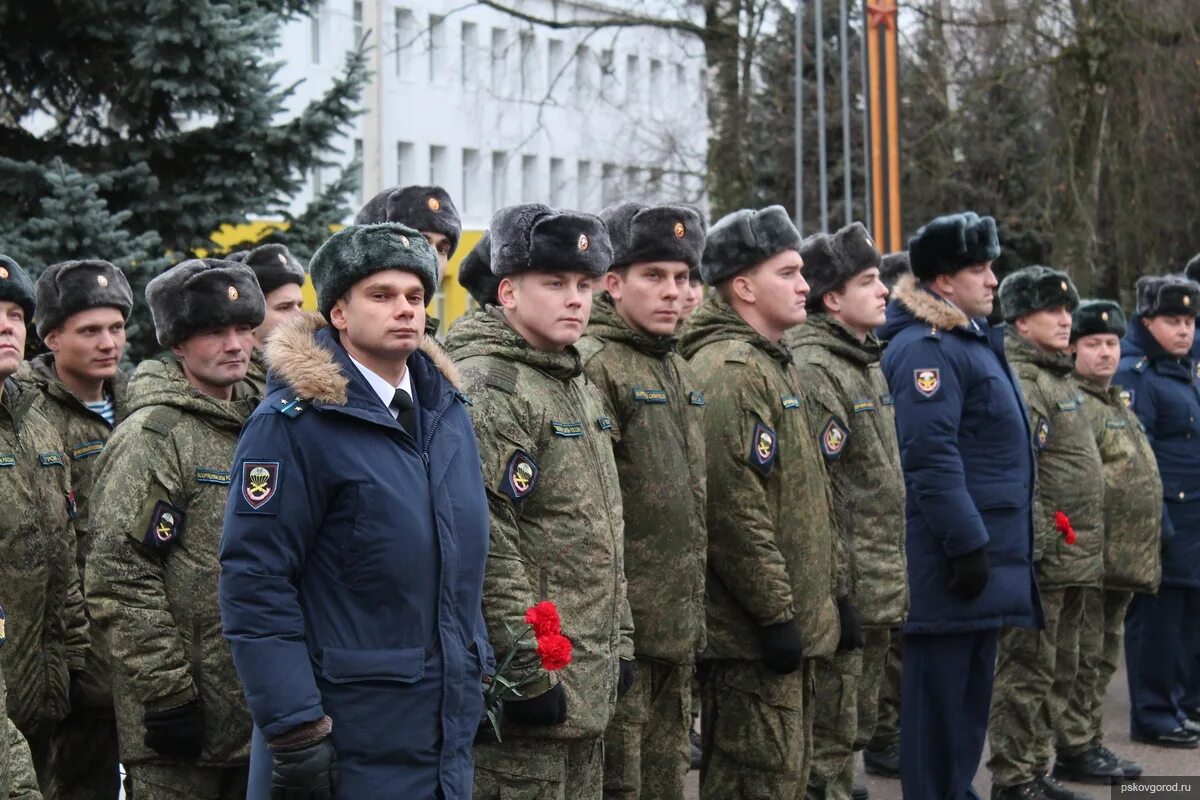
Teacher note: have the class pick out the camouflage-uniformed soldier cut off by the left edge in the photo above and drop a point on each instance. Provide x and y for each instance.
(40, 593)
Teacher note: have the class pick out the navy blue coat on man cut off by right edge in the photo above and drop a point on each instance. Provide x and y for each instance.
(1165, 395)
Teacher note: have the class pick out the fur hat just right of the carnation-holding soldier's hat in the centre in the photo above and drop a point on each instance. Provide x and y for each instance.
(655, 233)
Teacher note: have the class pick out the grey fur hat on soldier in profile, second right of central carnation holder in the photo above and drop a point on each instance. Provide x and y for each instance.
(746, 239)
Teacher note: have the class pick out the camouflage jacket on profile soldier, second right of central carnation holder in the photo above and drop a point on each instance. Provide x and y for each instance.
(771, 532)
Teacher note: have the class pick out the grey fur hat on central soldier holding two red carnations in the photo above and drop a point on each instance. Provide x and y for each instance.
(533, 238)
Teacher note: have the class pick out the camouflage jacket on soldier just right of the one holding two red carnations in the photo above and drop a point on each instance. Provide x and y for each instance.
(661, 460)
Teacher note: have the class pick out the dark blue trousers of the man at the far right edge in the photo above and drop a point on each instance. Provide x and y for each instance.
(1162, 648)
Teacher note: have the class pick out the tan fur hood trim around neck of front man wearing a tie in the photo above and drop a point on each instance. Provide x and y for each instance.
(311, 369)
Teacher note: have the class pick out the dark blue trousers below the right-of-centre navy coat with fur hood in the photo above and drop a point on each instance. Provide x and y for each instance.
(945, 699)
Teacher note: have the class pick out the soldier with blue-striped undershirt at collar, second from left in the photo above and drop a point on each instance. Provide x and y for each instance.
(82, 309)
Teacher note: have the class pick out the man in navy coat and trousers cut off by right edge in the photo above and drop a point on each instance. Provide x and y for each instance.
(1159, 380)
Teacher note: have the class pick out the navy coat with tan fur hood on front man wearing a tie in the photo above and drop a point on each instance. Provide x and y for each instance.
(353, 567)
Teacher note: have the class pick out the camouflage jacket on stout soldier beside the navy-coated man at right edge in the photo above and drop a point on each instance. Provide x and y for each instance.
(1133, 491)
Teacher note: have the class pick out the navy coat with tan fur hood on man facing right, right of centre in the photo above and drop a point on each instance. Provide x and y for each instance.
(968, 459)
